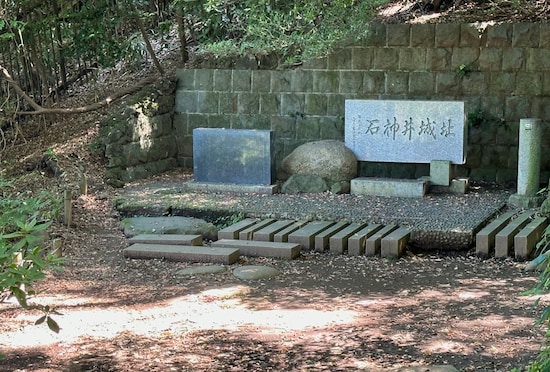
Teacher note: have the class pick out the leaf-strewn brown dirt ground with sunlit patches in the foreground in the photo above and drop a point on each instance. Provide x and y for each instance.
(322, 313)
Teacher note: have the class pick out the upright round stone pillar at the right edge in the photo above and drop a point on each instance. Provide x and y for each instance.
(528, 165)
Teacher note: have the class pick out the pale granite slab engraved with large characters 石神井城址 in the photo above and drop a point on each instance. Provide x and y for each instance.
(406, 131)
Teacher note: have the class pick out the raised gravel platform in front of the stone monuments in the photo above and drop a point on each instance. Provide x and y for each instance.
(439, 220)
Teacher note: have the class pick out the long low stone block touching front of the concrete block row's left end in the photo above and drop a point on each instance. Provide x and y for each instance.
(260, 248)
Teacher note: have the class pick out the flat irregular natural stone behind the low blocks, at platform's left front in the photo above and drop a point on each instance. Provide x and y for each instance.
(169, 225)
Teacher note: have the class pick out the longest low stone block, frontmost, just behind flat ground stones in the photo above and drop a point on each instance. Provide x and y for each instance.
(191, 253)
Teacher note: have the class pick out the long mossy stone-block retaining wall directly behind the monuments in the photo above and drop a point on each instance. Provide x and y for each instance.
(502, 72)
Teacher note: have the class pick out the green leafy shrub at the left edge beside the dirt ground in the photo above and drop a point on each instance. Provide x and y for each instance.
(22, 260)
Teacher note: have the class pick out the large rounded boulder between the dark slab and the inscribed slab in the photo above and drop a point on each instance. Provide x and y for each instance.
(329, 159)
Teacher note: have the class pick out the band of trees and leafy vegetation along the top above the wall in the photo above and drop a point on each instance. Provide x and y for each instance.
(45, 47)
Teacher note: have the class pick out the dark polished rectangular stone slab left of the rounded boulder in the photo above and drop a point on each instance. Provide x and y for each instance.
(233, 156)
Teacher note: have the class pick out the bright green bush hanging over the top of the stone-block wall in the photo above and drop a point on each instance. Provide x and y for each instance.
(293, 29)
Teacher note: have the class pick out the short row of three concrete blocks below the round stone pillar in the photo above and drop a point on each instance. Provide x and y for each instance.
(512, 233)
